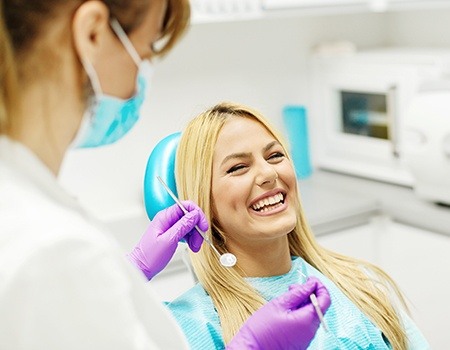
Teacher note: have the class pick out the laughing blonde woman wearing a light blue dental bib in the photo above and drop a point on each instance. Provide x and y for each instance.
(236, 167)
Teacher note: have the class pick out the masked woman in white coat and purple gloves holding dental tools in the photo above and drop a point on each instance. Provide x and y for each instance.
(73, 74)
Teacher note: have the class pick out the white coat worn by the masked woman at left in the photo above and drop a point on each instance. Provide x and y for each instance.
(64, 282)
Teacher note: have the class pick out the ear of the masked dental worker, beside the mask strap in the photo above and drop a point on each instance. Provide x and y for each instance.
(89, 26)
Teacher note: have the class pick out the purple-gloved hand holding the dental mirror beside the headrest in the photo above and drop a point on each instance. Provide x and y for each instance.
(158, 244)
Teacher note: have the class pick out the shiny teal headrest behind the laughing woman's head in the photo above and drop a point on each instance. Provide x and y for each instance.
(161, 162)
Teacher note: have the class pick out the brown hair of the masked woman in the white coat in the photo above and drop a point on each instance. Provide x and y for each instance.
(22, 23)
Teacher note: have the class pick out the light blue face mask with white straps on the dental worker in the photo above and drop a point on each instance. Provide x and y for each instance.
(109, 118)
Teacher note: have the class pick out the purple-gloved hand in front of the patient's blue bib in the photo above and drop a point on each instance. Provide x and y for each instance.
(287, 322)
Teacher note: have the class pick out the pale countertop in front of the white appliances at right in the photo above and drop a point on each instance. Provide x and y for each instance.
(333, 201)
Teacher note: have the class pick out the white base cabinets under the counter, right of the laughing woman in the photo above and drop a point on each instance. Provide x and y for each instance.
(418, 260)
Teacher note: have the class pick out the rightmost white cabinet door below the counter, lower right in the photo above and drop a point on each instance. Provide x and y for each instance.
(419, 261)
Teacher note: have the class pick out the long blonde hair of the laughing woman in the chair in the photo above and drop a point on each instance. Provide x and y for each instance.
(234, 298)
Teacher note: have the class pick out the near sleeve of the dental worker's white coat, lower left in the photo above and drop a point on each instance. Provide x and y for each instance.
(77, 295)
